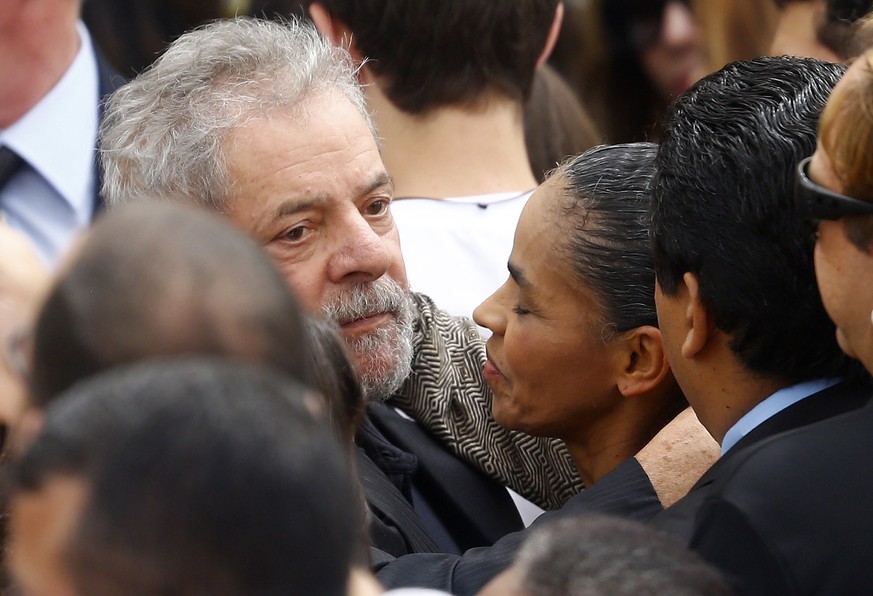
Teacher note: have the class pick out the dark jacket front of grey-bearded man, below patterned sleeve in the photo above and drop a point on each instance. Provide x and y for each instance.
(399, 462)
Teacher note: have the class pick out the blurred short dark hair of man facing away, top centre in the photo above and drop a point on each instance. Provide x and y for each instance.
(434, 53)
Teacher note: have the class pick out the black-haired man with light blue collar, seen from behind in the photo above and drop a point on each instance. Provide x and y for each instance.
(741, 317)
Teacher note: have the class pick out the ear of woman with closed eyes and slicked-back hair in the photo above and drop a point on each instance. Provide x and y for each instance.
(645, 361)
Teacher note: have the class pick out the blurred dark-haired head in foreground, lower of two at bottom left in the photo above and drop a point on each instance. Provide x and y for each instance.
(188, 477)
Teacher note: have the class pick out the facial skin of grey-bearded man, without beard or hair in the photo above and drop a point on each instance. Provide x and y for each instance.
(311, 187)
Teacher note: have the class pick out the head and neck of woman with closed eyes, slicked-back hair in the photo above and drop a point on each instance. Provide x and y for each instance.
(576, 352)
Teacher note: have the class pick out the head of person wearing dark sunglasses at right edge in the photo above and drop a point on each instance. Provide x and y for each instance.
(835, 189)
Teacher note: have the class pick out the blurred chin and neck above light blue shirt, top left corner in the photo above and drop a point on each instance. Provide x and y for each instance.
(38, 42)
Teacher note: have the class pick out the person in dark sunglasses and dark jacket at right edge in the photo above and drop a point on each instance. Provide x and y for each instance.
(792, 517)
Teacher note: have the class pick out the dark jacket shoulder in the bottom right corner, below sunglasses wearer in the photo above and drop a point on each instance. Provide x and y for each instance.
(792, 514)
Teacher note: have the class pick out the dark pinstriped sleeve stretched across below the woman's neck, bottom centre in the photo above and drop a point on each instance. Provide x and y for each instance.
(625, 492)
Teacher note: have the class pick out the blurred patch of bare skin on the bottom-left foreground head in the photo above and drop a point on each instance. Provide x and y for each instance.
(42, 525)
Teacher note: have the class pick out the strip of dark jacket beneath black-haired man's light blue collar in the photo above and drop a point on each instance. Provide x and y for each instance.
(678, 520)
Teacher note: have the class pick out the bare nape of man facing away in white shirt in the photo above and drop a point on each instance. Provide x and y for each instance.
(454, 151)
